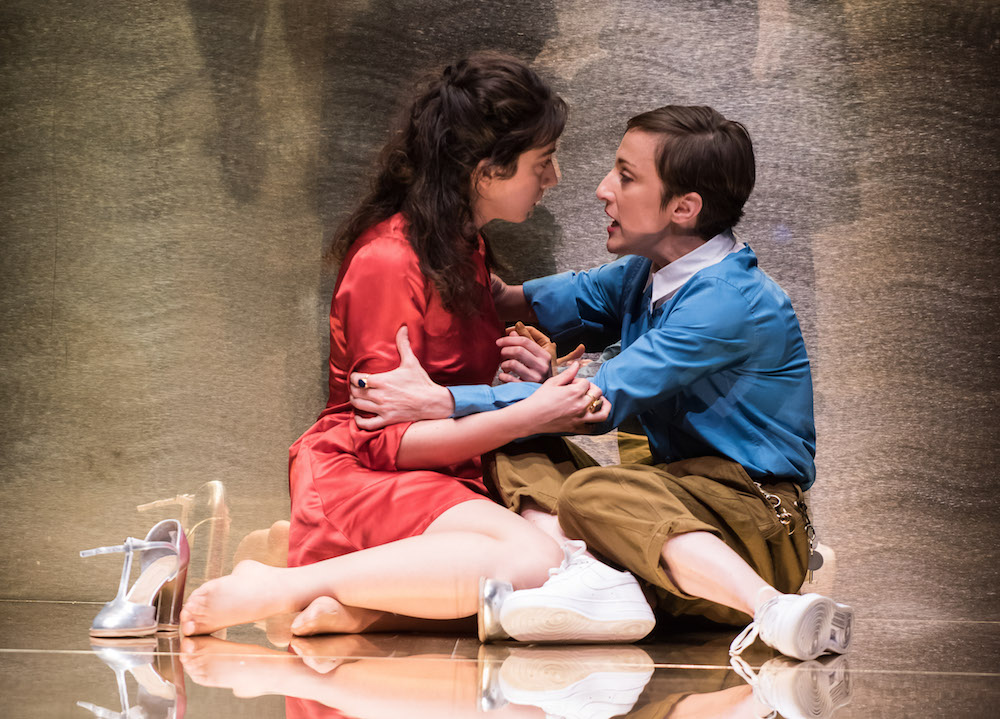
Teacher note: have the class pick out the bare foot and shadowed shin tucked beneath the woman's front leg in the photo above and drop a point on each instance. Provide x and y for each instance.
(325, 615)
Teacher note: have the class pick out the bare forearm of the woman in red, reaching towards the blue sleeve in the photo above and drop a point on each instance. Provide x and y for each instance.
(443, 442)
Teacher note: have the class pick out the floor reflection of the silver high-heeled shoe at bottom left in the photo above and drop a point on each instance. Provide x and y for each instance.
(153, 664)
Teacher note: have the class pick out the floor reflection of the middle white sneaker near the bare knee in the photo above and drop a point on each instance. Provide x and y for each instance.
(576, 682)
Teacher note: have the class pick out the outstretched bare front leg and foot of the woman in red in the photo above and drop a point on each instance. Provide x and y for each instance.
(438, 572)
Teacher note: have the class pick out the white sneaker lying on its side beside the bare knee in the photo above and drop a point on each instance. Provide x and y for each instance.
(582, 601)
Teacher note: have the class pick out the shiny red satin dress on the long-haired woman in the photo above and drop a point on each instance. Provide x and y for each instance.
(346, 491)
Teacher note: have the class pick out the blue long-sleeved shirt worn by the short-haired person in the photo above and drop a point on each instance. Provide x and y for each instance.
(718, 369)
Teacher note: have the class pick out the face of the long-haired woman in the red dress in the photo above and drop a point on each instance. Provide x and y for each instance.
(513, 198)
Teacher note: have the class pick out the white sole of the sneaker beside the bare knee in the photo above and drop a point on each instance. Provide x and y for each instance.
(534, 624)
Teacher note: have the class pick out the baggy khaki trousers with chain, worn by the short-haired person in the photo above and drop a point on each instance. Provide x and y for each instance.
(626, 513)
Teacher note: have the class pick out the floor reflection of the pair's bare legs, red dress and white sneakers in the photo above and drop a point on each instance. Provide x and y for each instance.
(379, 675)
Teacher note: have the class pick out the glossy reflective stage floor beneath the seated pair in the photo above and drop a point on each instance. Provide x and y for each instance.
(902, 668)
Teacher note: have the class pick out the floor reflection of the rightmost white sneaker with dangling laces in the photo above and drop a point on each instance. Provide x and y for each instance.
(799, 690)
